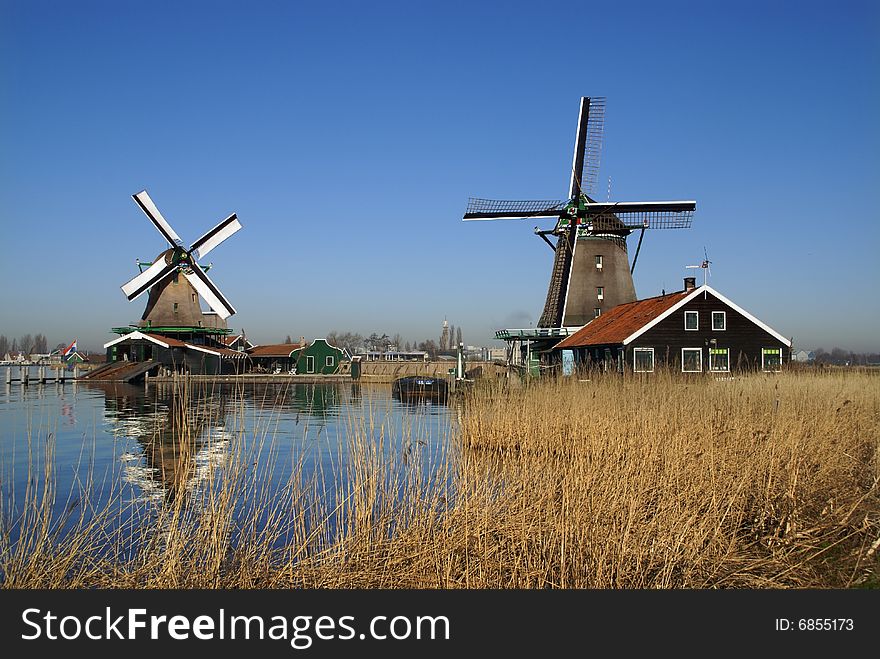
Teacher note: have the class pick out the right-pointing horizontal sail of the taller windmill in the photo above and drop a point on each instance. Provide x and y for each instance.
(640, 215)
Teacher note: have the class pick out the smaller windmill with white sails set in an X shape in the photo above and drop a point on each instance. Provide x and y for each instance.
(174, 302)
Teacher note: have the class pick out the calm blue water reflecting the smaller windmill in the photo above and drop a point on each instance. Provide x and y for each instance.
(116, 444)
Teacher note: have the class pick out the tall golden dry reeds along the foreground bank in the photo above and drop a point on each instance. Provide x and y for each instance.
(658, 482)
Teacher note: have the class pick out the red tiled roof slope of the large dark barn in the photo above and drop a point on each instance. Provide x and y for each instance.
(618, 323)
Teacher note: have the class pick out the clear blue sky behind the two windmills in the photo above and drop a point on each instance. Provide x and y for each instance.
(348, 136)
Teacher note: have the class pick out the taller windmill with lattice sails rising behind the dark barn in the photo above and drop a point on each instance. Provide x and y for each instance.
(591, 269)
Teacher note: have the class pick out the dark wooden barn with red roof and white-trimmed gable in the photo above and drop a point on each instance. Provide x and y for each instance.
(693, 331)
